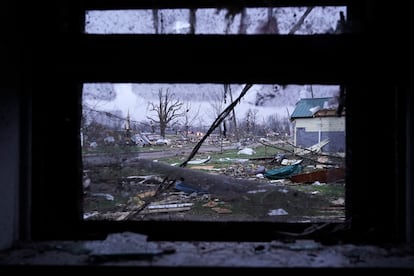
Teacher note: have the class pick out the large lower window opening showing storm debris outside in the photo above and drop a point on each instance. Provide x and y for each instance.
(213, 152)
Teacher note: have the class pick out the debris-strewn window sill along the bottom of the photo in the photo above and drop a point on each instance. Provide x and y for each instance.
(133, 250)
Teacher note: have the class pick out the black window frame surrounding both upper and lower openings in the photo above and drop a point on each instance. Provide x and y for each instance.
(56, 211)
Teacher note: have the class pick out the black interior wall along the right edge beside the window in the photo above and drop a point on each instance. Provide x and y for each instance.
(381, 201)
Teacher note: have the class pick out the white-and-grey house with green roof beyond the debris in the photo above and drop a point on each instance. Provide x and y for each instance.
(315, 120)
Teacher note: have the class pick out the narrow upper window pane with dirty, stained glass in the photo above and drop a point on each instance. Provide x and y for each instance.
(221, 21)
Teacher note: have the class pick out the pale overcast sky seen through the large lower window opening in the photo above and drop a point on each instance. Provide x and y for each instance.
(266, 99)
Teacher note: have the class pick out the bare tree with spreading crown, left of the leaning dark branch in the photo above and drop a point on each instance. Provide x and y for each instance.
(168, 108)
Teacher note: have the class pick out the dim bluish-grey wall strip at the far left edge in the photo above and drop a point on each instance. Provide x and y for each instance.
(9, 130)
